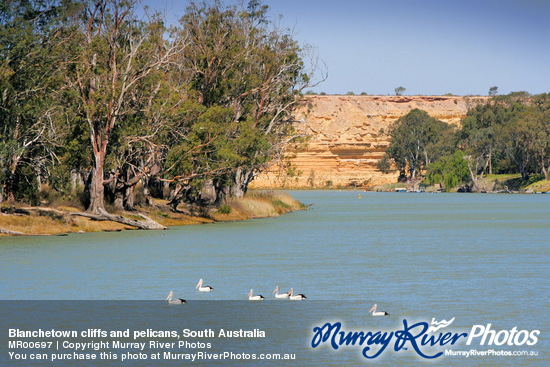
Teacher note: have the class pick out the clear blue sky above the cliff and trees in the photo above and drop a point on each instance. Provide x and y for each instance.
(427, 46)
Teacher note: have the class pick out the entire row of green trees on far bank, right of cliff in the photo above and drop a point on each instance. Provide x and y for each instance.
(508, 134)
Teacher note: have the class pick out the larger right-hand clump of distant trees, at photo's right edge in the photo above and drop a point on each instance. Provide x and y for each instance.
(510, 130)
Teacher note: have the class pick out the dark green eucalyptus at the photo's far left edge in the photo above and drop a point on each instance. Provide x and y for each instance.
(29, 89)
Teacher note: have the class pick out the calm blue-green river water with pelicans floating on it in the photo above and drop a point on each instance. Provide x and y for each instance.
(481, 259)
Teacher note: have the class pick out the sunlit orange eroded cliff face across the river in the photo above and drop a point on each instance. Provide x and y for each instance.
(348, 136)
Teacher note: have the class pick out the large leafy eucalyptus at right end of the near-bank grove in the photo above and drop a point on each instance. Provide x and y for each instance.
(246, 76)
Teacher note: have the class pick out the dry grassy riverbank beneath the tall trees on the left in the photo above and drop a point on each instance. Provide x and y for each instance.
(65, 219)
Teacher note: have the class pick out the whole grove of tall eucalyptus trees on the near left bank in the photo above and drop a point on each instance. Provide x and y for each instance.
(105, 93)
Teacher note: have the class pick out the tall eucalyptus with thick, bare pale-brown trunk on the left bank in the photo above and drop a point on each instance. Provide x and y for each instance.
(112, 51)
